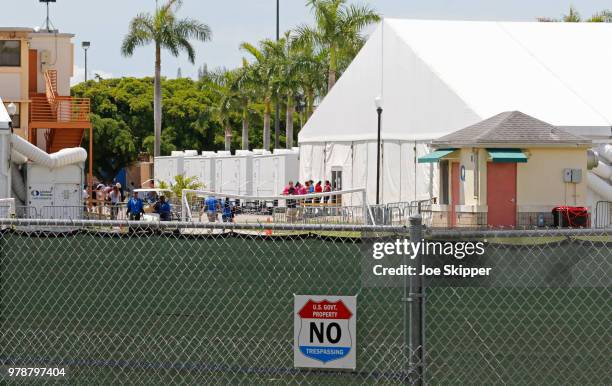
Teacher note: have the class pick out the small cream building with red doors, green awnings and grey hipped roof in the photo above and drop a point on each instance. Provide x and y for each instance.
(509, 170)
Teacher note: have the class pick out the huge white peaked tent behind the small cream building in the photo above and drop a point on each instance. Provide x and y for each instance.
(436, 77)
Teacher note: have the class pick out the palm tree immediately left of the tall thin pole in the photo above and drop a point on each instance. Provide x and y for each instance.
(264, 70)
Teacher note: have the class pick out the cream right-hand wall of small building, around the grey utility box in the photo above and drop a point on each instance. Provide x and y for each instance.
(540, 183)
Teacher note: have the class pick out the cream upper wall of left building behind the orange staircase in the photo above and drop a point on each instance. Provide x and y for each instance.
(62, 59)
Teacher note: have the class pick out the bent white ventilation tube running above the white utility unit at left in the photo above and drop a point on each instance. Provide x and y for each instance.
(63, 157)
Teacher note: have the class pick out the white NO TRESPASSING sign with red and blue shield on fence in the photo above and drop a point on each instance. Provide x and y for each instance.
(325, 332)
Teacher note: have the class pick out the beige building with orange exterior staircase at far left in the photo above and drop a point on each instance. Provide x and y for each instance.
(35, 72)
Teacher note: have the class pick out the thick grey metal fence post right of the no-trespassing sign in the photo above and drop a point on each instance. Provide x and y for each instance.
(414, 307)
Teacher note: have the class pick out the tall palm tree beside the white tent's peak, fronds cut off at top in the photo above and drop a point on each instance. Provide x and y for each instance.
(337, 31)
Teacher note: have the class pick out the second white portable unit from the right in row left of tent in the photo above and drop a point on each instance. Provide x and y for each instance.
(234, 174)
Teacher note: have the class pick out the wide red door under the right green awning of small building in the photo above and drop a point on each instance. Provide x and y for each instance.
(501, 194)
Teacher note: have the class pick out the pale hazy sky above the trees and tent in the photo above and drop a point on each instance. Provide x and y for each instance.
(105, 23)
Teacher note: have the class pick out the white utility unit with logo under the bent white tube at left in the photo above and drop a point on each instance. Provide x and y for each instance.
(55, 193)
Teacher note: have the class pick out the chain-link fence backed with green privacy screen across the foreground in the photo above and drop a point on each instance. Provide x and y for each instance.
(184, 303)
